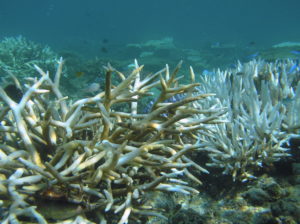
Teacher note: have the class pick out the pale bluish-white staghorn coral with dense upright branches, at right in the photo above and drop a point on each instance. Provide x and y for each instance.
(263, 103)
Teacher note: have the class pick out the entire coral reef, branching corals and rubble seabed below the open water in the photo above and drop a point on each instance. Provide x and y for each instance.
(114, 155)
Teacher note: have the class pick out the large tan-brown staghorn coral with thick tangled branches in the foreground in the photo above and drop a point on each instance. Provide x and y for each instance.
(87, 156)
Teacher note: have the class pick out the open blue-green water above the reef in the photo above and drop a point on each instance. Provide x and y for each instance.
(192, 23)
